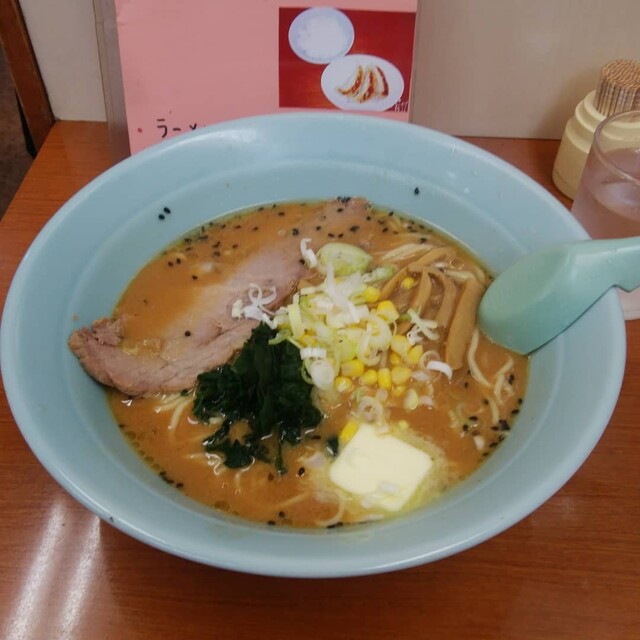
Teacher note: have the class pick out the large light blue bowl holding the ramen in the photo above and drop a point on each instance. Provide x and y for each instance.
(80, 263)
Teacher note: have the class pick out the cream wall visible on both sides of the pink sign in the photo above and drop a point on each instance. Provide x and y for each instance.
(485, 67)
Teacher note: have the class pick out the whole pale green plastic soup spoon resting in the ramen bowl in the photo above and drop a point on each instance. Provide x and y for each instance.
(543, 293)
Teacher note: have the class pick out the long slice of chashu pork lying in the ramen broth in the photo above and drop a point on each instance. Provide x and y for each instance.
(214, 335)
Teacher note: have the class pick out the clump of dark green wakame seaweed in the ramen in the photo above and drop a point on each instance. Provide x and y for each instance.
(265, 387)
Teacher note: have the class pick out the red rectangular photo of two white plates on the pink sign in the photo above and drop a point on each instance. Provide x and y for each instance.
(355, 60)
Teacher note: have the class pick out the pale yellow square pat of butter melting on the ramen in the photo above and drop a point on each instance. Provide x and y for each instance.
(384, 470)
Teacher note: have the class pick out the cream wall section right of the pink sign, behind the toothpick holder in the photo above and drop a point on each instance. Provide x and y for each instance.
(515, 67)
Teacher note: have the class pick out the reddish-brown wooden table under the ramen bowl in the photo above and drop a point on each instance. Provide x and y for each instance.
(570, 570)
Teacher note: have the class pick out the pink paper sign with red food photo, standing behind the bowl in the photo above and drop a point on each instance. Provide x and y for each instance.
(193, 63)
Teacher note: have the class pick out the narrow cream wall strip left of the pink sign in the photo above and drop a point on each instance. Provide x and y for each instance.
(63, 36)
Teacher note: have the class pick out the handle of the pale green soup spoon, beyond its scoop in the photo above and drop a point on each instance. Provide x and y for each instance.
(619, 260)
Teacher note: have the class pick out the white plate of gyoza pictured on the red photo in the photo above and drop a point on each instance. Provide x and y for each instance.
(346, 80)
